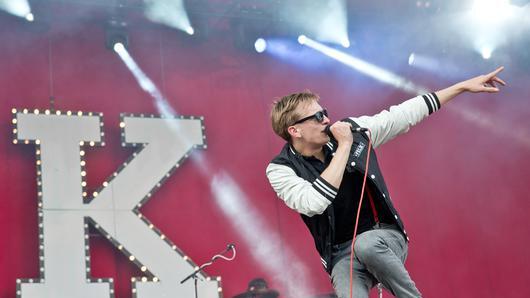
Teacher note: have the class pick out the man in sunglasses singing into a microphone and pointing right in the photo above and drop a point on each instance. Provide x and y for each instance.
(321, 178)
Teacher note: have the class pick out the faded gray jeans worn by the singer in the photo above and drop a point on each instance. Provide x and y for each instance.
(379, 257)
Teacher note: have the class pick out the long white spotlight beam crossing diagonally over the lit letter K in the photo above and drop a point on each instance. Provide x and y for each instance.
(246, 220)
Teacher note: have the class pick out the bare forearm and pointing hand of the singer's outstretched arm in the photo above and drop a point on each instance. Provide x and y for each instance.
(483, 83)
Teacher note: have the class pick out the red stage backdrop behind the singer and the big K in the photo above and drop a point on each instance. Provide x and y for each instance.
(461, 188)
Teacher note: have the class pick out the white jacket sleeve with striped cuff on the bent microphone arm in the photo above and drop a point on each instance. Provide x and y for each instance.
(308, 198)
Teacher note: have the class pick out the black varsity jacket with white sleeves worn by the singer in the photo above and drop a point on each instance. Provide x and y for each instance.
(302, 188)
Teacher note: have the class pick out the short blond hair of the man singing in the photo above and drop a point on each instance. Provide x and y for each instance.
(283, 112)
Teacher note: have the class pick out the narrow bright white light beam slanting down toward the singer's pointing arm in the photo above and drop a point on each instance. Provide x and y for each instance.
(366, 68)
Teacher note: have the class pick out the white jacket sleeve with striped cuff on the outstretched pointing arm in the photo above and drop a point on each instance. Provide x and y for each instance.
(390, 123)
